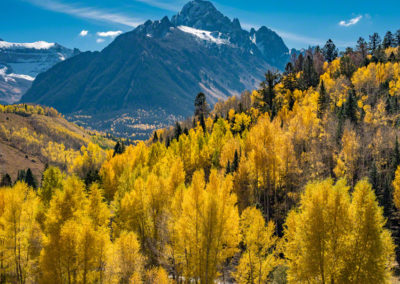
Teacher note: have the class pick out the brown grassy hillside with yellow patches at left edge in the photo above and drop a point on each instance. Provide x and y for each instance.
(32, 137)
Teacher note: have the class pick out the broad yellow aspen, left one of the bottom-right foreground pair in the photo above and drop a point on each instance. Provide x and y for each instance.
(316, 233)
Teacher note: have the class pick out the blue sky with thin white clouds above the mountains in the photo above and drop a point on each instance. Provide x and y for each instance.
(92, 24)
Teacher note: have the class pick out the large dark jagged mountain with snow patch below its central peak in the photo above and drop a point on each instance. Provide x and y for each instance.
(148, 77)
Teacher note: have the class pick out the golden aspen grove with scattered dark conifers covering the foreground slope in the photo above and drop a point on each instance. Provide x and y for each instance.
(295, 182)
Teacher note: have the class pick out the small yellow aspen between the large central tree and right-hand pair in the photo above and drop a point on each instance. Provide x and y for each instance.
(259, 258)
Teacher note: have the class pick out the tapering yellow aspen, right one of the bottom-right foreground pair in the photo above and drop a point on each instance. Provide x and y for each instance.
(371, 250)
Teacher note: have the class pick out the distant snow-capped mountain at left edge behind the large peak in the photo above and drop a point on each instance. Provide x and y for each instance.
(20, 63)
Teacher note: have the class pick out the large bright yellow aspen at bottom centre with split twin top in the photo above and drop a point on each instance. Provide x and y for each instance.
(208, 227)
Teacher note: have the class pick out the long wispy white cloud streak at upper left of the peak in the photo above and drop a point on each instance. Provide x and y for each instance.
(87, 12)
